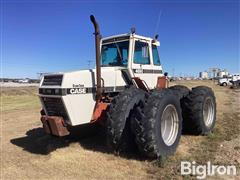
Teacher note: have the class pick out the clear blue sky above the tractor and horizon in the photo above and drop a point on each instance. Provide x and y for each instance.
(51, 36)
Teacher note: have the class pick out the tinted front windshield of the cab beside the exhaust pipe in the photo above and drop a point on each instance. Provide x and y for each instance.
(115, 54)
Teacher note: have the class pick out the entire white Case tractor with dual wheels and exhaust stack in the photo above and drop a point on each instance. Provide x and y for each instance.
(128, 94)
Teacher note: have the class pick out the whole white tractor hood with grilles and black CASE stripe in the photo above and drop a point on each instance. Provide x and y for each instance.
(71, 95)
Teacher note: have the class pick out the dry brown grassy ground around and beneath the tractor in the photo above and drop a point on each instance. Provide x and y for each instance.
(28, 153)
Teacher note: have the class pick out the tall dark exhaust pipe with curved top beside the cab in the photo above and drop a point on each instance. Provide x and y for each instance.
(98, 63)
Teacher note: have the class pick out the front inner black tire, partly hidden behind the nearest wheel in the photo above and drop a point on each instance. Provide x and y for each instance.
(119, 135)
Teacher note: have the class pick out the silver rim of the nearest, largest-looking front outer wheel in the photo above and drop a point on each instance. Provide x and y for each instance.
(169, 124)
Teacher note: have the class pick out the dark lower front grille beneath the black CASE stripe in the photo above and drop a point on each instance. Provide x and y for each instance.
(55, 107)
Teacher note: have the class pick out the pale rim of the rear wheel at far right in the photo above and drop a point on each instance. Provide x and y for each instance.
(208, 111)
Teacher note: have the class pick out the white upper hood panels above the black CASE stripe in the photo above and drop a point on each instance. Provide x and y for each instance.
(111, 77)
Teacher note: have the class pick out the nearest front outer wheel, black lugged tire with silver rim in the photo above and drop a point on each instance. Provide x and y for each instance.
(157, 124)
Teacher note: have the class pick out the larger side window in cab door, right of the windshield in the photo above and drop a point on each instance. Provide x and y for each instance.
(141, 53)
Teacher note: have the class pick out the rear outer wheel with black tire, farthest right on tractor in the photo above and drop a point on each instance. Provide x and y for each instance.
(199, 111)
